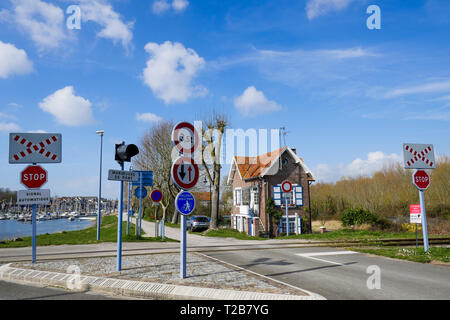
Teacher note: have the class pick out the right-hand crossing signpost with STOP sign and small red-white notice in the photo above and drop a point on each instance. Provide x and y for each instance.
(419, 157)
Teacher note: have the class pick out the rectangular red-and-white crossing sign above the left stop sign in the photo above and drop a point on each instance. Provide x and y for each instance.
(34, 148)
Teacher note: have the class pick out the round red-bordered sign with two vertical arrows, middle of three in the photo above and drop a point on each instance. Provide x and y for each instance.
(185, 172)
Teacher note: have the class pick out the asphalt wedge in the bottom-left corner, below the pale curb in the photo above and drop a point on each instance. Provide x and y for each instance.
(13, 291)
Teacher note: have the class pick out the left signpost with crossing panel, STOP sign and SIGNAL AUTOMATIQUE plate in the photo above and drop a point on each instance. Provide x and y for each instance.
(34, 148)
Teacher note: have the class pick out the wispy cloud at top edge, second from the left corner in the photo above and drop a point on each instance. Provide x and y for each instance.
(101, 12)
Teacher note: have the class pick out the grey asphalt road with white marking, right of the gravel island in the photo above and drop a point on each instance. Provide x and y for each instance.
(340, 274)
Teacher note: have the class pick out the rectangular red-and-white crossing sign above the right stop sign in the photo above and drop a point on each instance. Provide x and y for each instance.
(418, 156)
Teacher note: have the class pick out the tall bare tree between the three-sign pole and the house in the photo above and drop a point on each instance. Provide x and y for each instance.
(211, 150)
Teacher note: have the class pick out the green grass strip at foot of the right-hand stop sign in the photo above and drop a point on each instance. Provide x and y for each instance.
(411, 254)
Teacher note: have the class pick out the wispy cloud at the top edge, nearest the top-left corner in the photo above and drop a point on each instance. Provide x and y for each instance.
(43, 21)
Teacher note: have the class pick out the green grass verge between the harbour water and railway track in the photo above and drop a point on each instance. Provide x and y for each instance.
(108, 233)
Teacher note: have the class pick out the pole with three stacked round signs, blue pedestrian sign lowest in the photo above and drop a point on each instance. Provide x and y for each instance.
(185, 175)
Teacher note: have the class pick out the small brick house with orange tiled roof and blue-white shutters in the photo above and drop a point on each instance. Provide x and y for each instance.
(256, 179)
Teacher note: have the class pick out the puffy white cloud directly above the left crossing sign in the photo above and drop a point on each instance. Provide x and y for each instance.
(67, 108)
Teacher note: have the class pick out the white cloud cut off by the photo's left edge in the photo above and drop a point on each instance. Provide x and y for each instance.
(13, 61)
